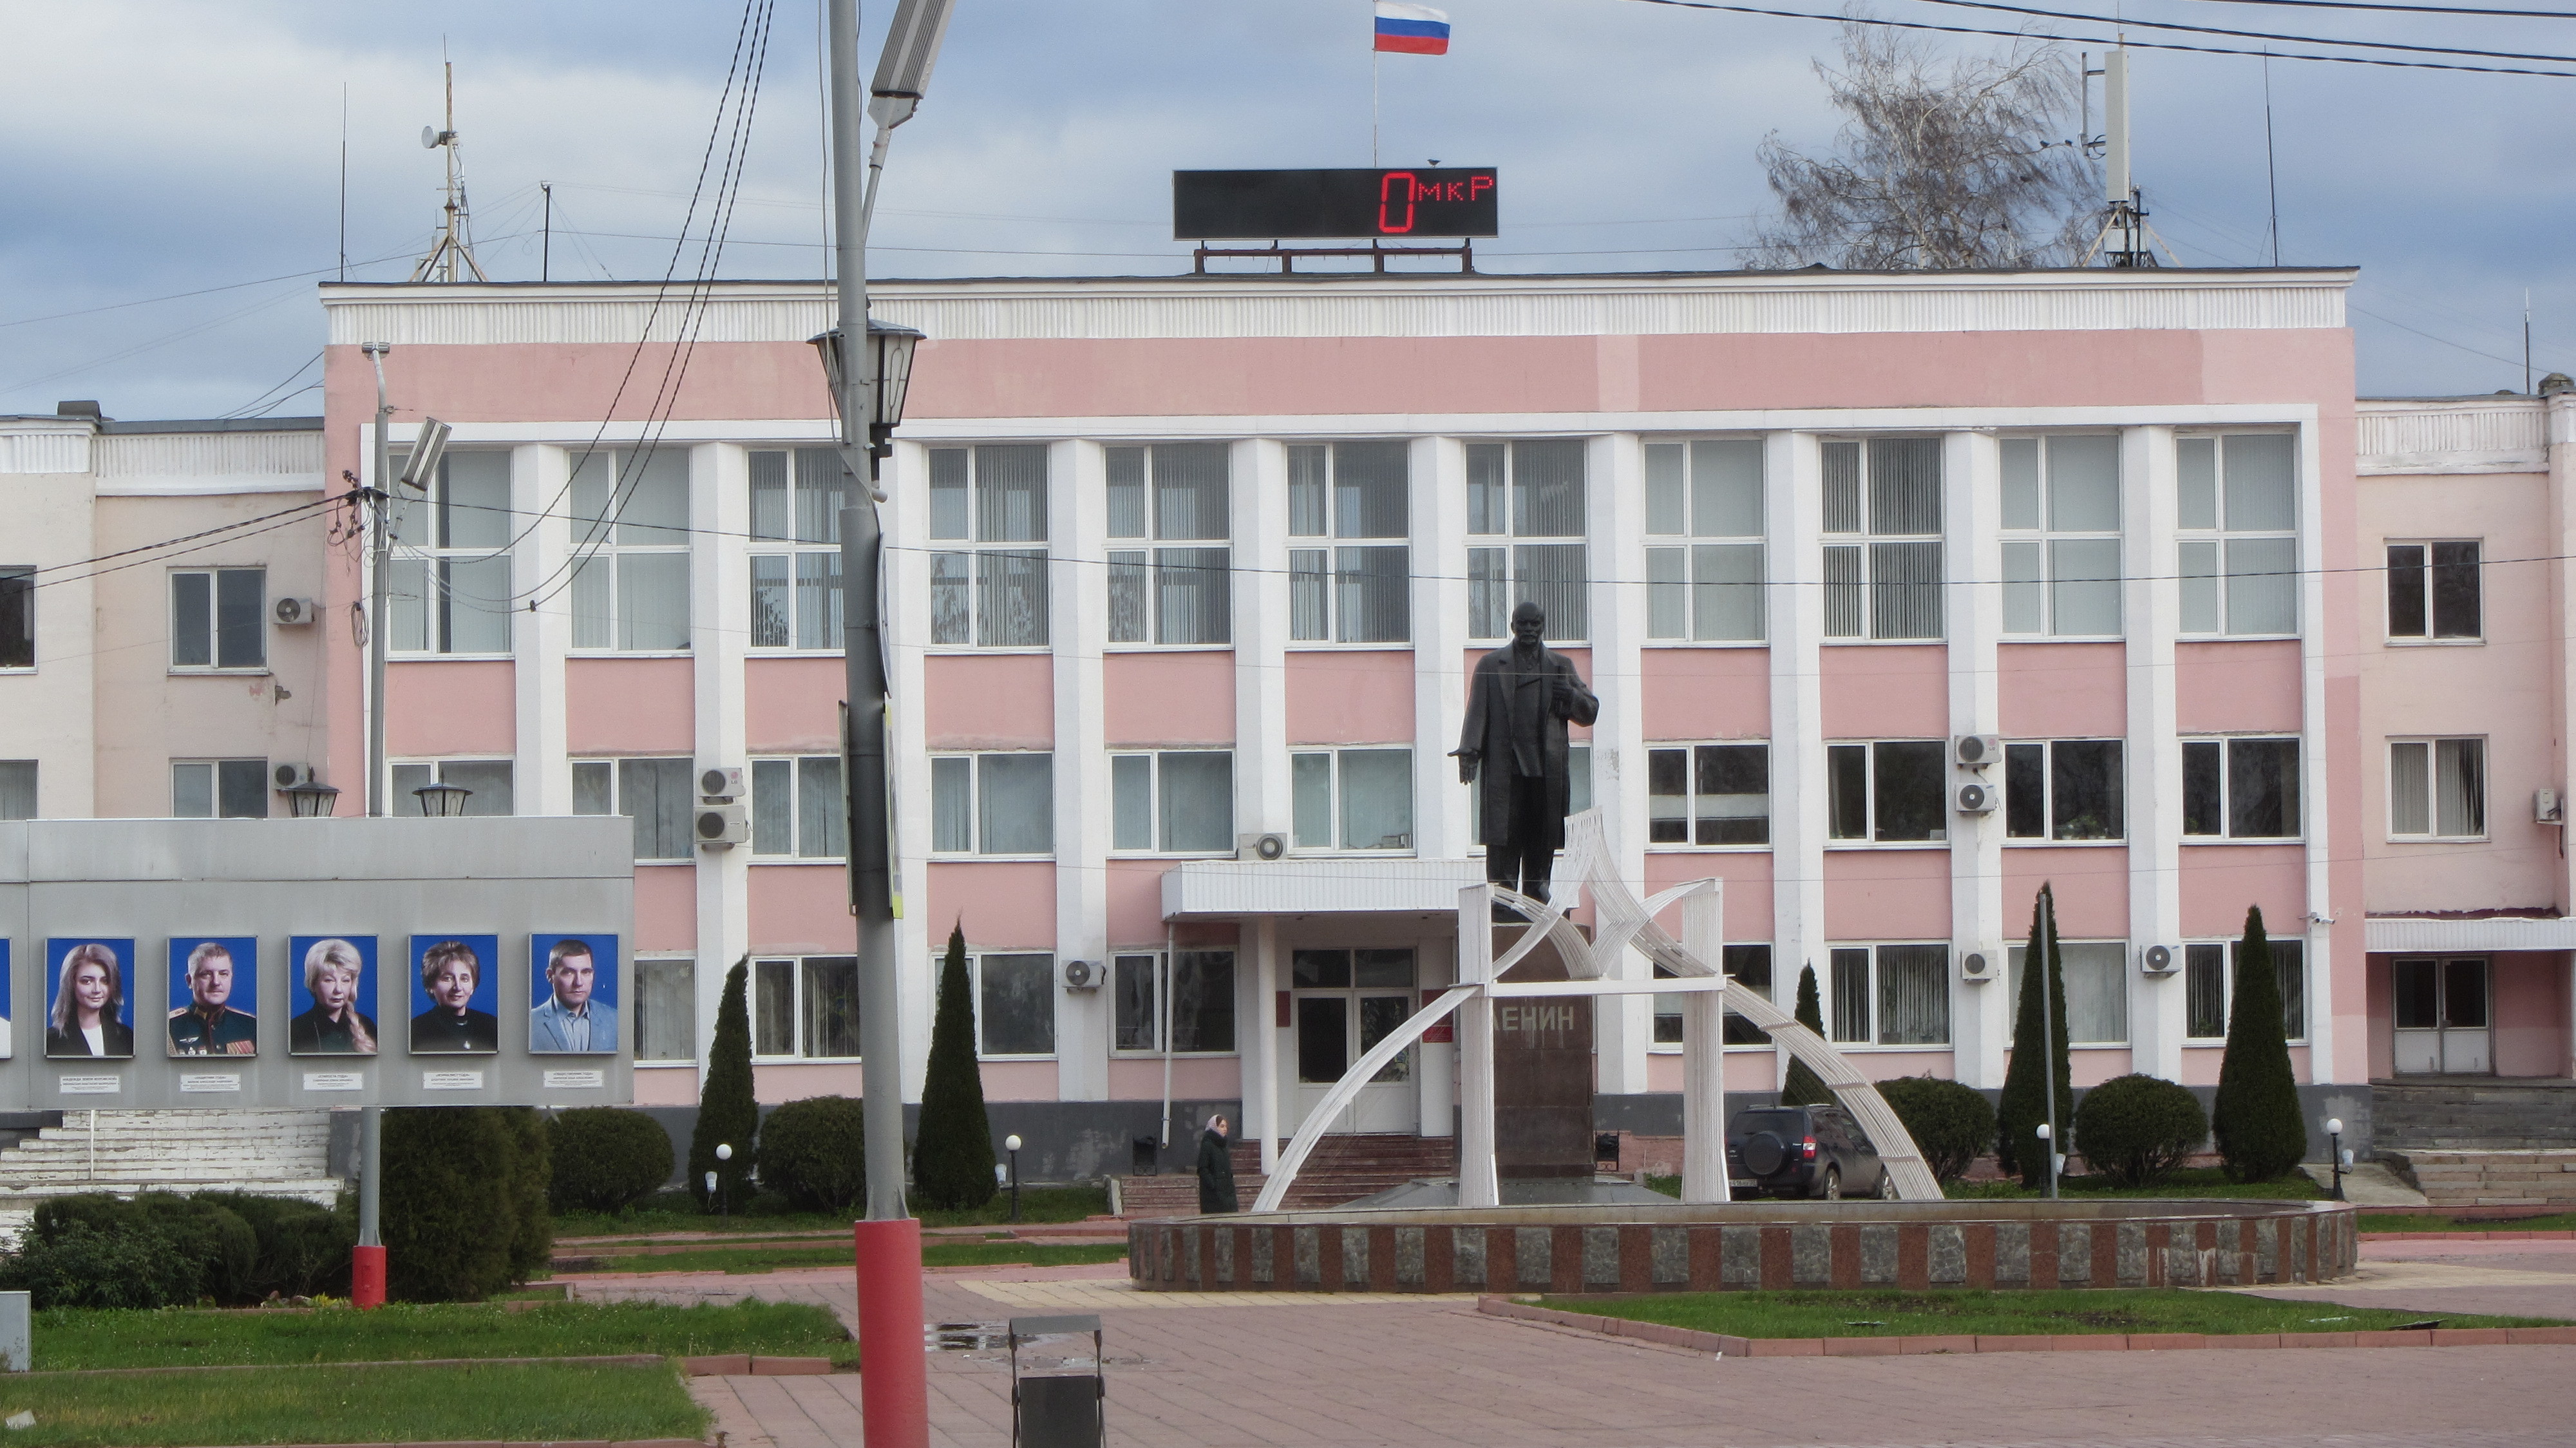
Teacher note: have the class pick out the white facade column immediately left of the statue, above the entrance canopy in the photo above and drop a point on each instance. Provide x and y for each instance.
(1439, 602)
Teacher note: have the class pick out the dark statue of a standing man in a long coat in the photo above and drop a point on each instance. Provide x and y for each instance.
(1519, 707)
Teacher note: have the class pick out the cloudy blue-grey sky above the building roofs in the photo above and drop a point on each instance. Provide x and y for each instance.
(171, 169)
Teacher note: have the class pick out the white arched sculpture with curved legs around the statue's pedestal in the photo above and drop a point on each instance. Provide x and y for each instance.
(1622, 921)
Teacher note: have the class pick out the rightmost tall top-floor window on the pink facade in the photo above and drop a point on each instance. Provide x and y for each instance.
(2237, 532)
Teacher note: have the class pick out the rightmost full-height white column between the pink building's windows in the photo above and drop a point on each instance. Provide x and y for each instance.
(2150, 620)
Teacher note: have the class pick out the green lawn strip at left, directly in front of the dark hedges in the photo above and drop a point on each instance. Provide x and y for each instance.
(89, 1338)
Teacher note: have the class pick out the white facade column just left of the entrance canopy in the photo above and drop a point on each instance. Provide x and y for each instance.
(1078, 630)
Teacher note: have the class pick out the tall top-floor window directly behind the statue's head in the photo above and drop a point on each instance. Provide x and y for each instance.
(1531, 493)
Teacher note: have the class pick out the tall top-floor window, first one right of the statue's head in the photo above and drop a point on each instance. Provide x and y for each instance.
(1704, 542)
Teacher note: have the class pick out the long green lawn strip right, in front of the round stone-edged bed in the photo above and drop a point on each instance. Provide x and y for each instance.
(2005, 1313)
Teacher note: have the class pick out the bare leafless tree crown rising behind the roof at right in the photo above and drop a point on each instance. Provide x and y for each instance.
(1941, 164)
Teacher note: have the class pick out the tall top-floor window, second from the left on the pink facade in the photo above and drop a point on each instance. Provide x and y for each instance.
(630, 548)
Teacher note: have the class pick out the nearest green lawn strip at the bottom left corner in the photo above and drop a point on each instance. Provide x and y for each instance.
(354, 1405)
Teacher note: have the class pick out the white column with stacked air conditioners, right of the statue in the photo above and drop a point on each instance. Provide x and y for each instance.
(1972, 504)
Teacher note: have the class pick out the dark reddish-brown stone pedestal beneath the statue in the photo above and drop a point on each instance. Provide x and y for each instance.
(1542, 1073)
